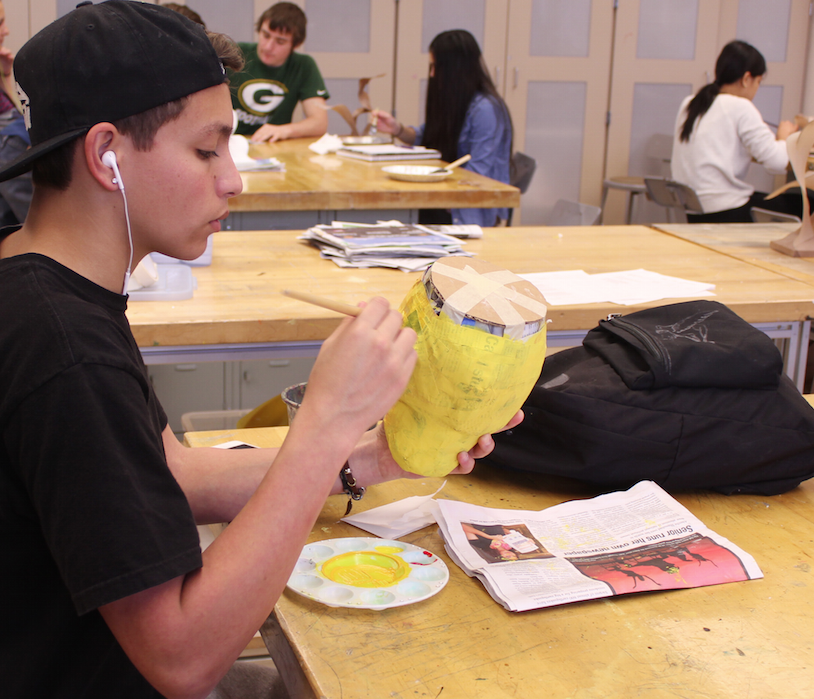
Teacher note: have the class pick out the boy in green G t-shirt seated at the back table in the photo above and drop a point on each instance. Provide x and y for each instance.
(275, 78)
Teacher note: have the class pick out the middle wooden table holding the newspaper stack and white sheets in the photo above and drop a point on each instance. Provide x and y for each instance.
(238, 310)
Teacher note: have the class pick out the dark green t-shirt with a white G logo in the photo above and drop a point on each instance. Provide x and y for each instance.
(261, 94)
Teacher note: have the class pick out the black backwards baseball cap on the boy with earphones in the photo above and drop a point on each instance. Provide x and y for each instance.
(103, 63)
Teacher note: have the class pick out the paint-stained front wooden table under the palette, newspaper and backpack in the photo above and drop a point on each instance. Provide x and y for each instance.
(732, 641)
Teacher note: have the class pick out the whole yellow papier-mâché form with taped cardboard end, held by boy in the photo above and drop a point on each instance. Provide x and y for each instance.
(467, 381)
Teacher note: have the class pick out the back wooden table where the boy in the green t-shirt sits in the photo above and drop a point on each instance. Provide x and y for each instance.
(321, 188)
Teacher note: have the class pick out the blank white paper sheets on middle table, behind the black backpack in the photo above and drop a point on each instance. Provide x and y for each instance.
(625, 288)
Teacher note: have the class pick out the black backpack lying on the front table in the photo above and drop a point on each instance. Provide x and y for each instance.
(688, 395)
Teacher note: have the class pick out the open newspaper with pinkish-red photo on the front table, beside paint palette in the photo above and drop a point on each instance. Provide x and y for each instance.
(638, 540)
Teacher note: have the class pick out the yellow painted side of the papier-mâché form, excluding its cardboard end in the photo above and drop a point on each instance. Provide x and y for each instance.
(466, 383)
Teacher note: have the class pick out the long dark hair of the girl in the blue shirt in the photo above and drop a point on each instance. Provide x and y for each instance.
(459, 75)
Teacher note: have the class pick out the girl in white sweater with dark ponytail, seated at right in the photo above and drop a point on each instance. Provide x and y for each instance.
(719, 132)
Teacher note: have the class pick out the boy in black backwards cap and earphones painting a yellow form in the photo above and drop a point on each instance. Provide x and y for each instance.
(107, 592)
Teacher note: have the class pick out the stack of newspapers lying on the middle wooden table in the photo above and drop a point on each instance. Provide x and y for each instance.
(410, 248)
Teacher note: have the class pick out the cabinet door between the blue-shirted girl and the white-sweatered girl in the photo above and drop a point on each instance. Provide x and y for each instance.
(557, 74)
